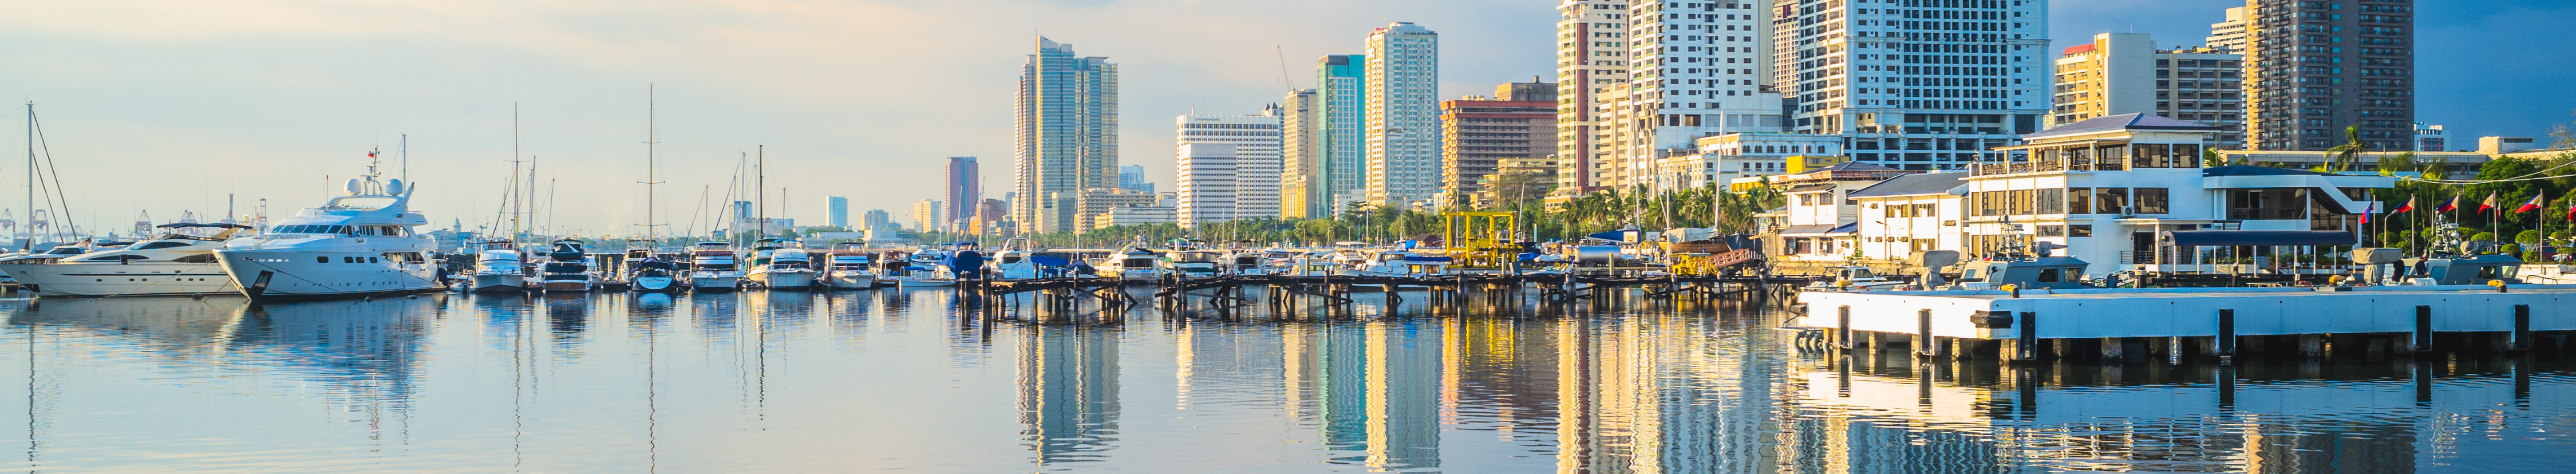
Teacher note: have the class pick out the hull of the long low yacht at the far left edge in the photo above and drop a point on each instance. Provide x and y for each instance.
(133, 280)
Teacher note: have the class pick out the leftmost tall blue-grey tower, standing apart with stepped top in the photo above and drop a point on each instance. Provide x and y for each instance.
(1068, 135)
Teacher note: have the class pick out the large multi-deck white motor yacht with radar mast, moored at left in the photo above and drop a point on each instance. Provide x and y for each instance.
(352, 246)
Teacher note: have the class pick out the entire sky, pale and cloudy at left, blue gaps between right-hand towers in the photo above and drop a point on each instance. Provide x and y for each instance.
(171, 104)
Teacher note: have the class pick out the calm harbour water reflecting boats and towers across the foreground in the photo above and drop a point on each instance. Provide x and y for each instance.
(903, 380)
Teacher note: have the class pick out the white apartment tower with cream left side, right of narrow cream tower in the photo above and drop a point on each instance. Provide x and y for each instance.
(1694, 71)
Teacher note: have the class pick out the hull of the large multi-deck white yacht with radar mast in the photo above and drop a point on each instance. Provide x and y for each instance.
(321, 274)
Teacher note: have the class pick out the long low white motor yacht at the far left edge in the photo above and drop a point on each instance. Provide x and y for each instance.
(182, 261)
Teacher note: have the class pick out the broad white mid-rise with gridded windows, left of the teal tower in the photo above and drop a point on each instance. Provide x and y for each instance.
(1227, 169)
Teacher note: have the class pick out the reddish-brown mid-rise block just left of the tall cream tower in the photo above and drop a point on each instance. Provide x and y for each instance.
(1477, 135)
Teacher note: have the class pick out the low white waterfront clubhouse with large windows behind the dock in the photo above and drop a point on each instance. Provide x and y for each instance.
(2126, 194)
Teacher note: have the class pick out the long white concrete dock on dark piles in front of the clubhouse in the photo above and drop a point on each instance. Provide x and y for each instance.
(2196, 323)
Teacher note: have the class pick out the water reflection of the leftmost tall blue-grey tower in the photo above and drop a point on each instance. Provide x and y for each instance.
(1068, 390)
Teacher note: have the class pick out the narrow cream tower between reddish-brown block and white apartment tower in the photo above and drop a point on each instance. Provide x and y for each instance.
(1591, 58)
